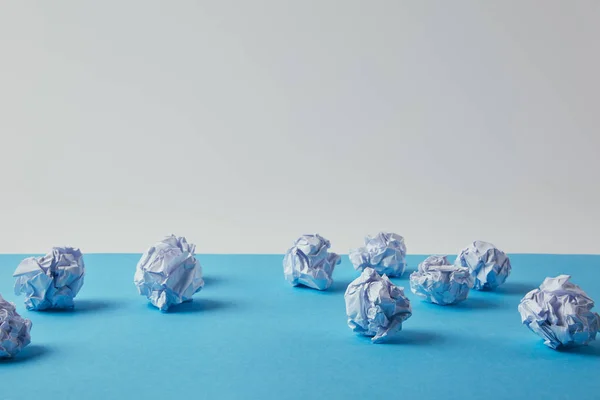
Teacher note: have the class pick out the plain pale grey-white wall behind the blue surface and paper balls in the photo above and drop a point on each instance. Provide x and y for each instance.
(242, 124)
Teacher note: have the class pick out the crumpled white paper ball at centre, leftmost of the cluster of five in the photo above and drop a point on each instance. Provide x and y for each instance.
(309, 263)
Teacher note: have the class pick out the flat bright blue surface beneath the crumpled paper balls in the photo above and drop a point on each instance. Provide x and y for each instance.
(249, 334)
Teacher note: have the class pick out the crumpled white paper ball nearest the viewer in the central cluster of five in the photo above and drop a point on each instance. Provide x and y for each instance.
(375, 306)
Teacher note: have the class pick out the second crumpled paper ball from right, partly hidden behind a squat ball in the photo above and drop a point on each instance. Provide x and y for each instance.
(488, 265)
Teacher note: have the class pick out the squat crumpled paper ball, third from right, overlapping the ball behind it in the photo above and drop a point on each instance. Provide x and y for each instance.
(439, 282)
